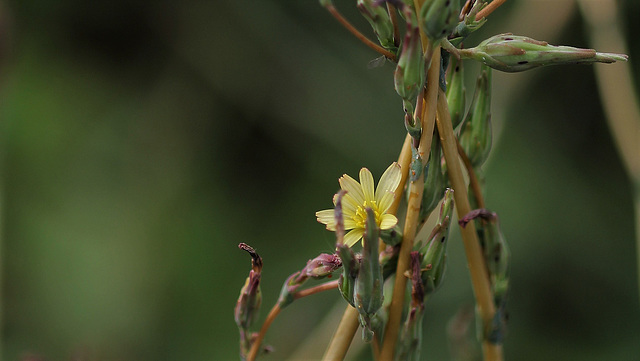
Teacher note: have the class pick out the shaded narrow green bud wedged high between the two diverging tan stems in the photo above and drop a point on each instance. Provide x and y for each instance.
(435, 181)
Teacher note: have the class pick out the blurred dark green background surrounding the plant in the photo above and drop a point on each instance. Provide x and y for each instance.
(143, 140)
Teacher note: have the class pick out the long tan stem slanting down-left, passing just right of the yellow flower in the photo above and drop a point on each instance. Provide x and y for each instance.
(416, 189)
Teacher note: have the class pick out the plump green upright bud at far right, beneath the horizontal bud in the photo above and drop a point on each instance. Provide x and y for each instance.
(475, 132)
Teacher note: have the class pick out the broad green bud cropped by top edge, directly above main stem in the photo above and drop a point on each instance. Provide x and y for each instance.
(439, 18)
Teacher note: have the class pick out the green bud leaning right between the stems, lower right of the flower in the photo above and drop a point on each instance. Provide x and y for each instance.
(434, 251)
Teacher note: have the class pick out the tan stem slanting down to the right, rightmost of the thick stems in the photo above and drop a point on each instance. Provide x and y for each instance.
(475, 259)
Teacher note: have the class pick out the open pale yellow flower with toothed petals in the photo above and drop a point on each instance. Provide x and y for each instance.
(361, 196)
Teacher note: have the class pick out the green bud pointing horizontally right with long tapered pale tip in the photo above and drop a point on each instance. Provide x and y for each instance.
(514, 53)
